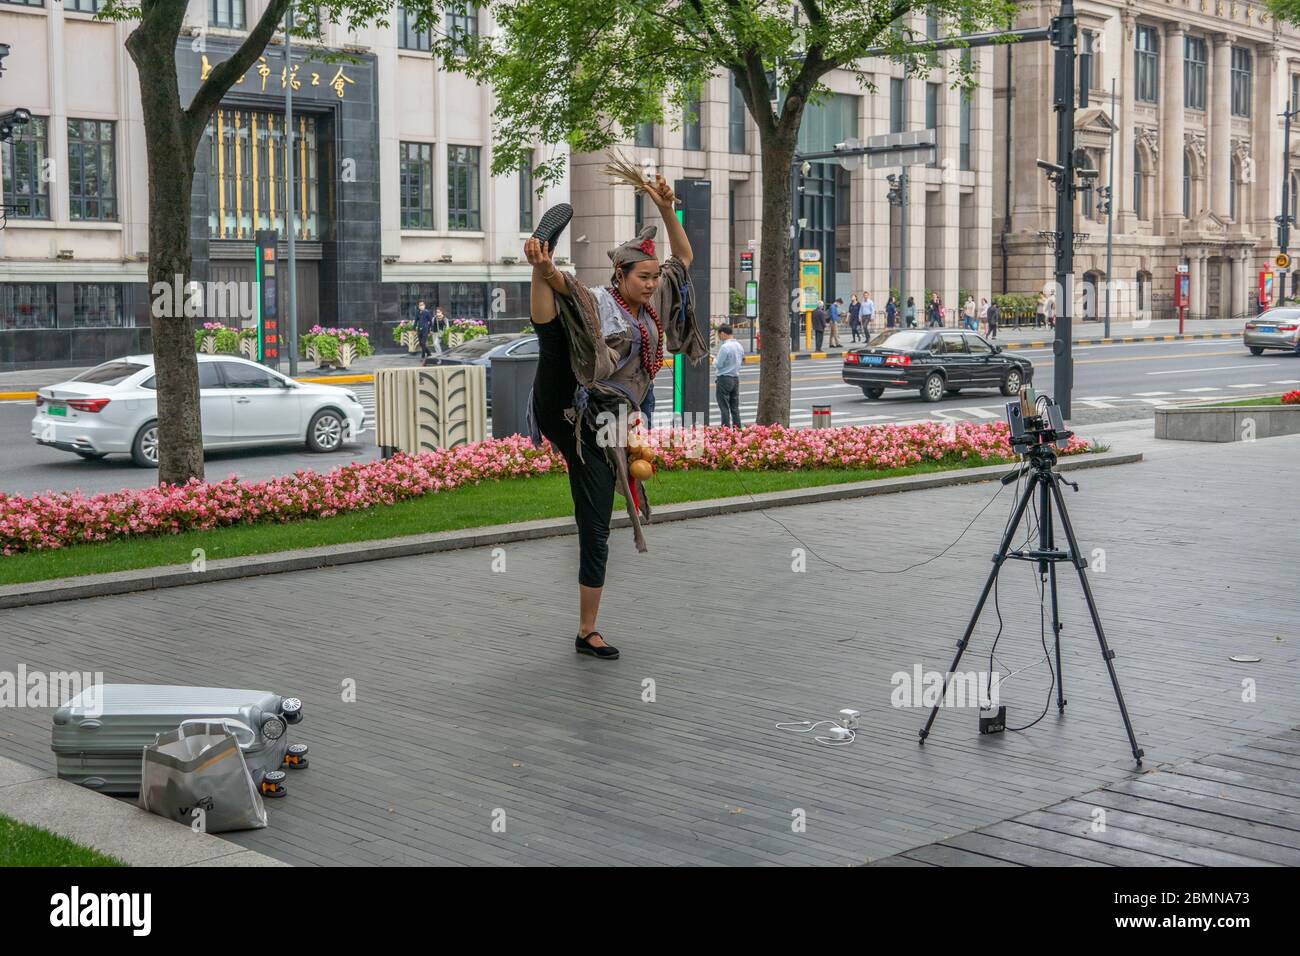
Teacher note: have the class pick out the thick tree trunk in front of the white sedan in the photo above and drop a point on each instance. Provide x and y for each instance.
(171, 149)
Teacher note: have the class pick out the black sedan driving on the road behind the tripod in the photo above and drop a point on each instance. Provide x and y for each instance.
(935, 362)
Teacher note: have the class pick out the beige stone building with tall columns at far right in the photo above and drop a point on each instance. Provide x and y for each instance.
(1201, 86)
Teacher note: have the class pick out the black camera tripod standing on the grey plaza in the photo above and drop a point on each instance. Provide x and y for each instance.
(1041, 460)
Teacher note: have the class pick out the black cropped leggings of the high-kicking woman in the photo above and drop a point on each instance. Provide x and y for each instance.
(591, 479)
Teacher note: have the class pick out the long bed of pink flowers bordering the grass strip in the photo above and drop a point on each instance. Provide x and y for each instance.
(62, 520)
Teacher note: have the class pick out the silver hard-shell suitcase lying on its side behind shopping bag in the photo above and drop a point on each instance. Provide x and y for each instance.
(99, 737)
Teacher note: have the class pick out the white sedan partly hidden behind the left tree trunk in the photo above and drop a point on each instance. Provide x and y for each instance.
(112, 409)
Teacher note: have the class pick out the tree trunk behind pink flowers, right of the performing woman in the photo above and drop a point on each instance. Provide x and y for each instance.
(774, 283)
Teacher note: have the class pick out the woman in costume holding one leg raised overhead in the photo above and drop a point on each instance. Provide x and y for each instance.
(600, 353)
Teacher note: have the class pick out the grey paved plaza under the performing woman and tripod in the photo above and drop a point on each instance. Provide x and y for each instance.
(470, 698)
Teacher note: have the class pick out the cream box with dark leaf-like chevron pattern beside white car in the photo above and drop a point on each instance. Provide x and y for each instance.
(419, 410)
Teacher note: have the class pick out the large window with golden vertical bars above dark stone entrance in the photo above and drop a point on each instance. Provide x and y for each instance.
(248, 183)
